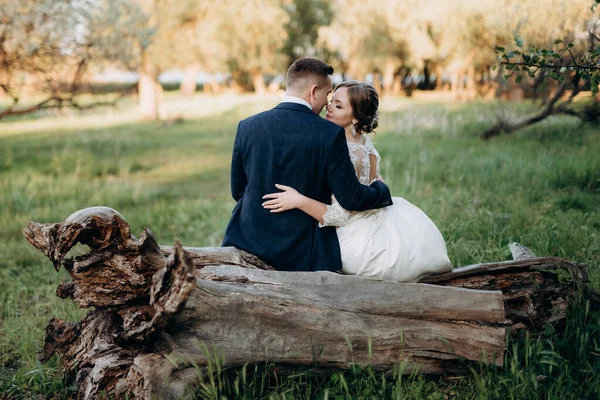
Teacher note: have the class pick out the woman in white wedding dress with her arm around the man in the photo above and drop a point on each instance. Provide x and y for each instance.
(397, 243)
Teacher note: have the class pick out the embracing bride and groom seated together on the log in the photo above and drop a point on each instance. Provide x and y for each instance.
(333, 212)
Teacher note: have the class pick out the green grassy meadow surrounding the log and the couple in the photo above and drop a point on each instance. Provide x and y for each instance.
(540, 187)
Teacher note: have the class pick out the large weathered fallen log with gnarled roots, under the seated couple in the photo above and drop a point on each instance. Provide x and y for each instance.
(158, 309)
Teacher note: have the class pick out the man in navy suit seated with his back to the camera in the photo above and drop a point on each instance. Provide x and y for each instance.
(293, 146)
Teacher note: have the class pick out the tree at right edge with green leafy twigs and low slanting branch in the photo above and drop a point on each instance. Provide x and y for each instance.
(567, 63)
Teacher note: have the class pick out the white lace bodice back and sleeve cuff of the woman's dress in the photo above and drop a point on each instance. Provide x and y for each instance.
(360, 155)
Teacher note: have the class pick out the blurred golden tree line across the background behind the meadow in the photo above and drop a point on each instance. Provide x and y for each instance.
(401, 45)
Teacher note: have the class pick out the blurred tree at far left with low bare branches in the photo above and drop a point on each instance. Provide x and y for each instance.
(52, 44)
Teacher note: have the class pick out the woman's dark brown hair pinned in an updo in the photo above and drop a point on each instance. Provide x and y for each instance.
(364, 101)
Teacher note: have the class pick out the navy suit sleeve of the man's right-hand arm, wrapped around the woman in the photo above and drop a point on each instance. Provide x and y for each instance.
(345, 186)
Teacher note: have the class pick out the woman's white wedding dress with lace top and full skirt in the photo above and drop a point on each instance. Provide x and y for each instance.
(398, 243)
